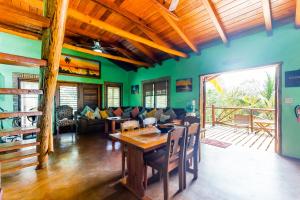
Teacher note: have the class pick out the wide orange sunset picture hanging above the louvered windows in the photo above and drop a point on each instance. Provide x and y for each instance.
(76, 66)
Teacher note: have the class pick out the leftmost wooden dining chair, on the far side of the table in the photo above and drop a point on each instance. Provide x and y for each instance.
(127, 126)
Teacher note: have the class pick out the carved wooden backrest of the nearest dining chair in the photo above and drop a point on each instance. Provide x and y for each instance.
(176, 144)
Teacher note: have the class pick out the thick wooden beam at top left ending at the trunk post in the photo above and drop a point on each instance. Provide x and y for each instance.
(18, 16)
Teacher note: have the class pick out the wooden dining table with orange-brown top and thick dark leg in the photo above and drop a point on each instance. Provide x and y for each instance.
(138, 142)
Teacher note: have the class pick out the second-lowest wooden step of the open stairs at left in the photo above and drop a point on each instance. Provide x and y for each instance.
(19, 155)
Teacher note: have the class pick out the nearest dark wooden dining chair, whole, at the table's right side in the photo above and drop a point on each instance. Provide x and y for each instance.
(167, 160)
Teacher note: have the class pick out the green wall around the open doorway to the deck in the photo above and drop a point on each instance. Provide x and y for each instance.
(252, 50)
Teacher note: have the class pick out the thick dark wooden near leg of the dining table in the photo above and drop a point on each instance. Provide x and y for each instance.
(135, 168)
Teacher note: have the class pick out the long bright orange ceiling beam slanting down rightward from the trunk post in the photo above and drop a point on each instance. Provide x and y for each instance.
(117, 31)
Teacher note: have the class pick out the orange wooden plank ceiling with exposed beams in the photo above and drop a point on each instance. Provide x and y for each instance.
(144, 30)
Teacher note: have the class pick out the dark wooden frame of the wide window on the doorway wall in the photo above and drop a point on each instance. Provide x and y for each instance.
(153, 81)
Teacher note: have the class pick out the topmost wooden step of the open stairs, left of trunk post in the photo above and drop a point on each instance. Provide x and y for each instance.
(10, 59)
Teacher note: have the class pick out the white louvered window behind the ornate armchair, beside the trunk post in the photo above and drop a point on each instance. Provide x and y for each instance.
(68, 95)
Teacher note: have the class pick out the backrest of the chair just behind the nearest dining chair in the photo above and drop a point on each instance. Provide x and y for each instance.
(193, 136)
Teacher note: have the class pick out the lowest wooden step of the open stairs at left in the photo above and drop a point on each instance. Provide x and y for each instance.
(8, 168)
